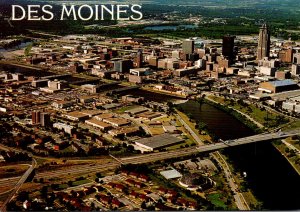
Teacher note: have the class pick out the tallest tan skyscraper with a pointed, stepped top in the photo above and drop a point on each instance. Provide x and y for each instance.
(264, 42)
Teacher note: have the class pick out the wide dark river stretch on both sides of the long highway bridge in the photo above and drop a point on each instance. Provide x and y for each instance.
(270, 176)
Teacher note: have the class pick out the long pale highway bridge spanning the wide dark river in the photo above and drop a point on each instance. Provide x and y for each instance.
(207, 148)
